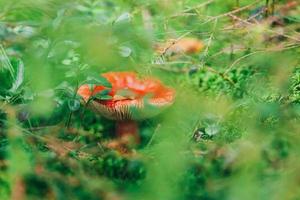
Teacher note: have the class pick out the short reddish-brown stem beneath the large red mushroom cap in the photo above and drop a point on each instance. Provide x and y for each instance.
(128, 129)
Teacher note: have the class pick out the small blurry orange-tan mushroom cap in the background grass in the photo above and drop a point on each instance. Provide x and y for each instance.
(183, 45)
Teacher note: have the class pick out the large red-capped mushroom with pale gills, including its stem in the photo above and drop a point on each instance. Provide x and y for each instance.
(132, 99)
